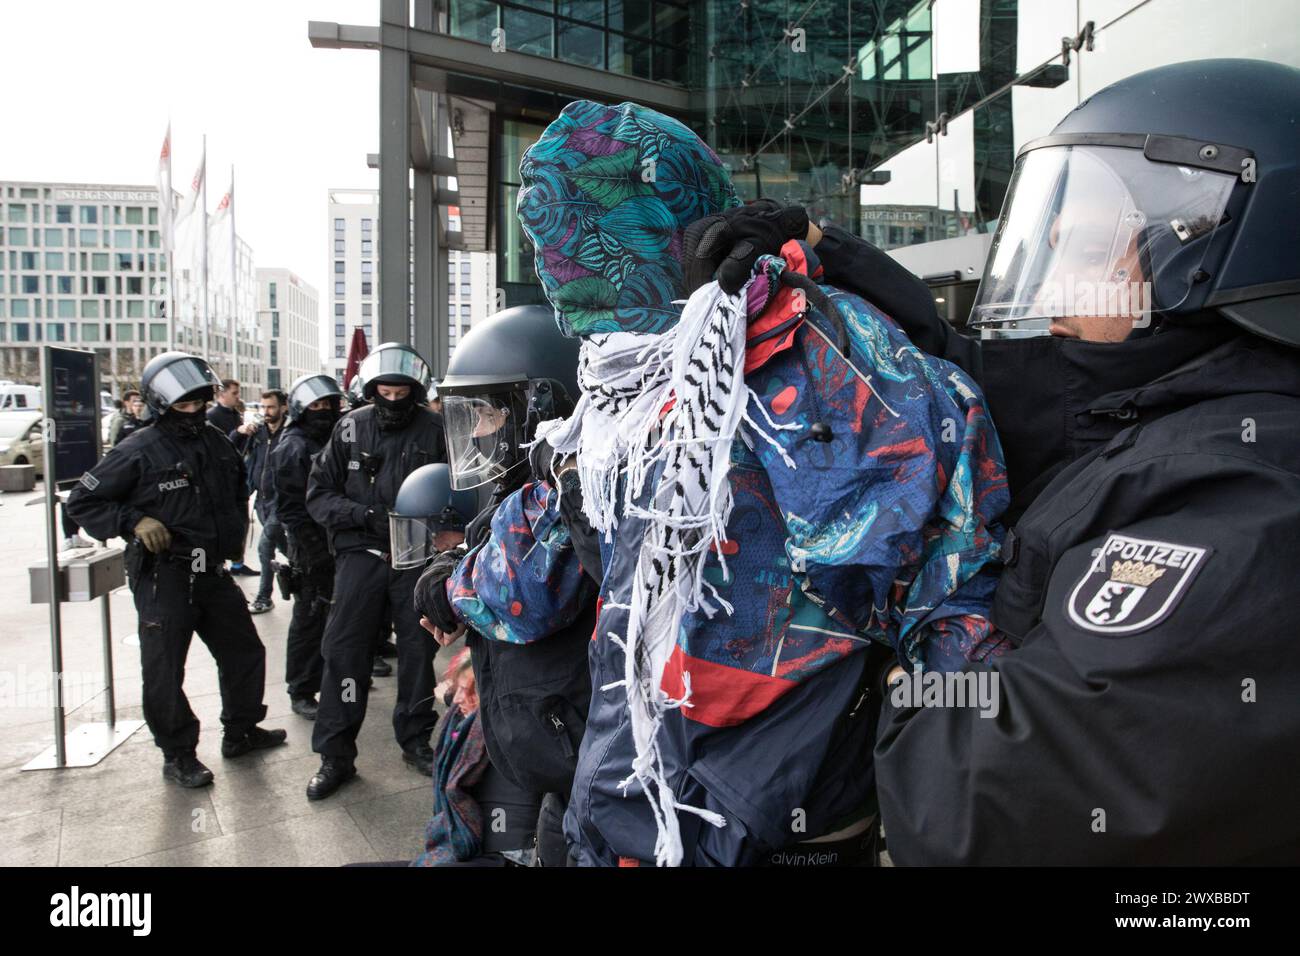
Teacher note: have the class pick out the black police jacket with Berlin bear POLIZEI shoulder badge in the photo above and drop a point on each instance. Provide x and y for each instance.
(1150, 712)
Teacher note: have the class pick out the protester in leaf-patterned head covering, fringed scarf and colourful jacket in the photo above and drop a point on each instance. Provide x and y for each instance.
(777, 498)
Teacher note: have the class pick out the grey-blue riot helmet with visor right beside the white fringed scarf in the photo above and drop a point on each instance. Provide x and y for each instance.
(510, 373)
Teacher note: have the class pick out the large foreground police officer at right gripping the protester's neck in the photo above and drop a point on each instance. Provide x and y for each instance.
(1147, 712)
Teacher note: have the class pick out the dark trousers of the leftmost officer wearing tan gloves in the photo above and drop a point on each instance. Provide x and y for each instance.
(174, 604)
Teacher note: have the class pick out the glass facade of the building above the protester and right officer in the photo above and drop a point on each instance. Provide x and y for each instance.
(899, 120)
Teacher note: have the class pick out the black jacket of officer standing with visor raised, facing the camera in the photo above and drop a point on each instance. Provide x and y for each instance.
(362, 468)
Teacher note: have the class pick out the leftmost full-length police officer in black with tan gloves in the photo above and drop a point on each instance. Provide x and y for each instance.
(177, 494)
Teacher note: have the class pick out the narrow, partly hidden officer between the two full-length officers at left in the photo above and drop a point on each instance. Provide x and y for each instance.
(314, 410)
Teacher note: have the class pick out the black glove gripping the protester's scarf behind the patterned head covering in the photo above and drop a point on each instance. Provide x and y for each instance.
(726, 246)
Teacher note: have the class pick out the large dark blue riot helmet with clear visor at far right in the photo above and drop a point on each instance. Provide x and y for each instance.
(1163, 196)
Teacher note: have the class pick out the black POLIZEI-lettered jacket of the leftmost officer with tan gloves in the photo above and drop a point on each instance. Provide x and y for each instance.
(196, 487)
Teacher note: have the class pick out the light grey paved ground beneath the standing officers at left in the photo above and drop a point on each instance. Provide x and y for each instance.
(122, 812)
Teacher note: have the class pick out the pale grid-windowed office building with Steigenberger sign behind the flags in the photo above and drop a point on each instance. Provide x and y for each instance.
(84, 266)
